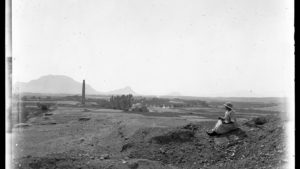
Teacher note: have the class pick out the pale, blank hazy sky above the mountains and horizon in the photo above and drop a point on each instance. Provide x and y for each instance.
(195, 47)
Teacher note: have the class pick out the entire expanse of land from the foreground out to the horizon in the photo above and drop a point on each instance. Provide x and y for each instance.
(164, 136)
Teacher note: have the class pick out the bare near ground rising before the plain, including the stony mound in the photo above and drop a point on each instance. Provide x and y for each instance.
(72, 137)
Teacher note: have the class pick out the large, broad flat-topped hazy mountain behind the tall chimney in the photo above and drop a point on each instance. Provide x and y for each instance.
(53, 84)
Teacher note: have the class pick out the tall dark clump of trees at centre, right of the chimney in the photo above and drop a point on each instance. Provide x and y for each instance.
(123, 102)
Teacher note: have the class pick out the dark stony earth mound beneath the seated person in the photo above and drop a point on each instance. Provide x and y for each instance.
(189, 146)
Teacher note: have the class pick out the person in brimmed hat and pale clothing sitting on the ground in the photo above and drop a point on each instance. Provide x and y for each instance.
(225, 124)
